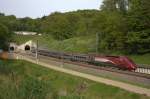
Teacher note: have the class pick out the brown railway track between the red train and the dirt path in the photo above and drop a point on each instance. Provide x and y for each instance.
(142, 72)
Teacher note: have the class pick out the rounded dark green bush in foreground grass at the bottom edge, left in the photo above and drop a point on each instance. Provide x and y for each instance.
(32, 88)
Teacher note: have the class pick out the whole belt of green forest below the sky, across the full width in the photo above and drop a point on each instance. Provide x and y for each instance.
(122, 25)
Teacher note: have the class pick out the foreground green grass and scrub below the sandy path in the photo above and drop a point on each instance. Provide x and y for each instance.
(24, 80)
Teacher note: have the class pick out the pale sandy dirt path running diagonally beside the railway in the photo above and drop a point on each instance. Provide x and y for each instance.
(125, 86)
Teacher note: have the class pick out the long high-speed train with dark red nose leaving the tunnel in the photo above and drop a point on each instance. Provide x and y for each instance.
(120, 62)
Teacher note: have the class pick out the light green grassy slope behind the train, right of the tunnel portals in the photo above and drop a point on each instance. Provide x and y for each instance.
(78, 44)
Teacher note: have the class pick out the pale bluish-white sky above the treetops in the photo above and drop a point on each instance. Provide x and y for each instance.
(39, 8)
